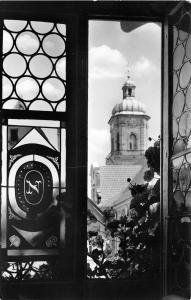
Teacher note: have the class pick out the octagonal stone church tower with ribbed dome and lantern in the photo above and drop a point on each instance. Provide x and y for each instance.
(128, 128)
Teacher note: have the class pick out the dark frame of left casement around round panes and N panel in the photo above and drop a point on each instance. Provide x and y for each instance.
(66, 117)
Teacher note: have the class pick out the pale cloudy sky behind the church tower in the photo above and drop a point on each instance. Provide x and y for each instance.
(112, 52)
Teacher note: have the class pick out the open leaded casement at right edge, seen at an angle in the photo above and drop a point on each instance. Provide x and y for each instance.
(179, 243)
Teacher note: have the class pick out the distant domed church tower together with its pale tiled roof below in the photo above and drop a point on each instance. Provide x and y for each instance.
(129, 136)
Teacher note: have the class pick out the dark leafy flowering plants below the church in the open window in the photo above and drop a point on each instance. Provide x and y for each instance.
(135, 234)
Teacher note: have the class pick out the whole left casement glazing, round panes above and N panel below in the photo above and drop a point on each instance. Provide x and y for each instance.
(33, 223)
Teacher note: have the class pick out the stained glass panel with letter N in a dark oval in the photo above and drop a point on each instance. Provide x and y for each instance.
(32, 222)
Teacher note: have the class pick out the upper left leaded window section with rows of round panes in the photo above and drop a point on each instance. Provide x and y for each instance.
(34, 65)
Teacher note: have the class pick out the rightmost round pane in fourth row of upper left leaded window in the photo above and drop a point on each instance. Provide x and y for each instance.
(53, 89)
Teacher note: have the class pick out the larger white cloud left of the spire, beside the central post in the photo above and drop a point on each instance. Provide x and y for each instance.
(105, 62)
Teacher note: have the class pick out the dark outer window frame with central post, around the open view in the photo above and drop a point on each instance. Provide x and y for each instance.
(77, 122)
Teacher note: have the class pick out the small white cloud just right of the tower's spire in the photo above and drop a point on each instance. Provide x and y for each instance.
(143, 66)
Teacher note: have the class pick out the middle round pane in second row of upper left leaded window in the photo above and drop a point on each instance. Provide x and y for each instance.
(27, 42)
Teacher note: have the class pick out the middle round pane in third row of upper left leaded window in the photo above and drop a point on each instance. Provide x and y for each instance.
(40, 66)
